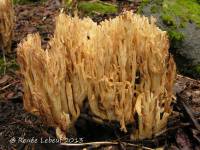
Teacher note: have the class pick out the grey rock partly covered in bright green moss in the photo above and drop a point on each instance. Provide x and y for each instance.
(181, 19)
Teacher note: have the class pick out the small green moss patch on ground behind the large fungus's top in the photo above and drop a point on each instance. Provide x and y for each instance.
(98, 7)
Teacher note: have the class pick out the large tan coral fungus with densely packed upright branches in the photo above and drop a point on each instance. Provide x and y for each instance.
(122, 66)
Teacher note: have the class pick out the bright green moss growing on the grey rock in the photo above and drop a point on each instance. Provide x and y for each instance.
(176, 14)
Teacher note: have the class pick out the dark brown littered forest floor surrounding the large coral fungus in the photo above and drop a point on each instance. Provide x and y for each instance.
(17, 126)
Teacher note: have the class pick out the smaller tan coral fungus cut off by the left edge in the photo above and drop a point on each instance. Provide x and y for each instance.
(6, 24)
